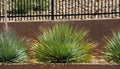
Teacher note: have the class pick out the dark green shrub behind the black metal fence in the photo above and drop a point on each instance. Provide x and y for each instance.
(26, 6)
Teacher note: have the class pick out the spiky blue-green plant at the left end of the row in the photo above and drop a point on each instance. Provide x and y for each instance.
(12, 49)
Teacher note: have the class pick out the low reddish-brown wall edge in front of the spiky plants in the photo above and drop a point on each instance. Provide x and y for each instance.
(60, 66)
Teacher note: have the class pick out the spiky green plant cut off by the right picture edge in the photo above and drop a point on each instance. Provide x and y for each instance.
(112, 50)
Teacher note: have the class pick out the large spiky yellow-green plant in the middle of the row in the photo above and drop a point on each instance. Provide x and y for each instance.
(62, 44)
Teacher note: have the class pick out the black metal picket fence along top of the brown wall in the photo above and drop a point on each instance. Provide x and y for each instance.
(36, 10)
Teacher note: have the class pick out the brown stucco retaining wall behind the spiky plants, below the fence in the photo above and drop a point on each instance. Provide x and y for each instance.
(97, 29)
